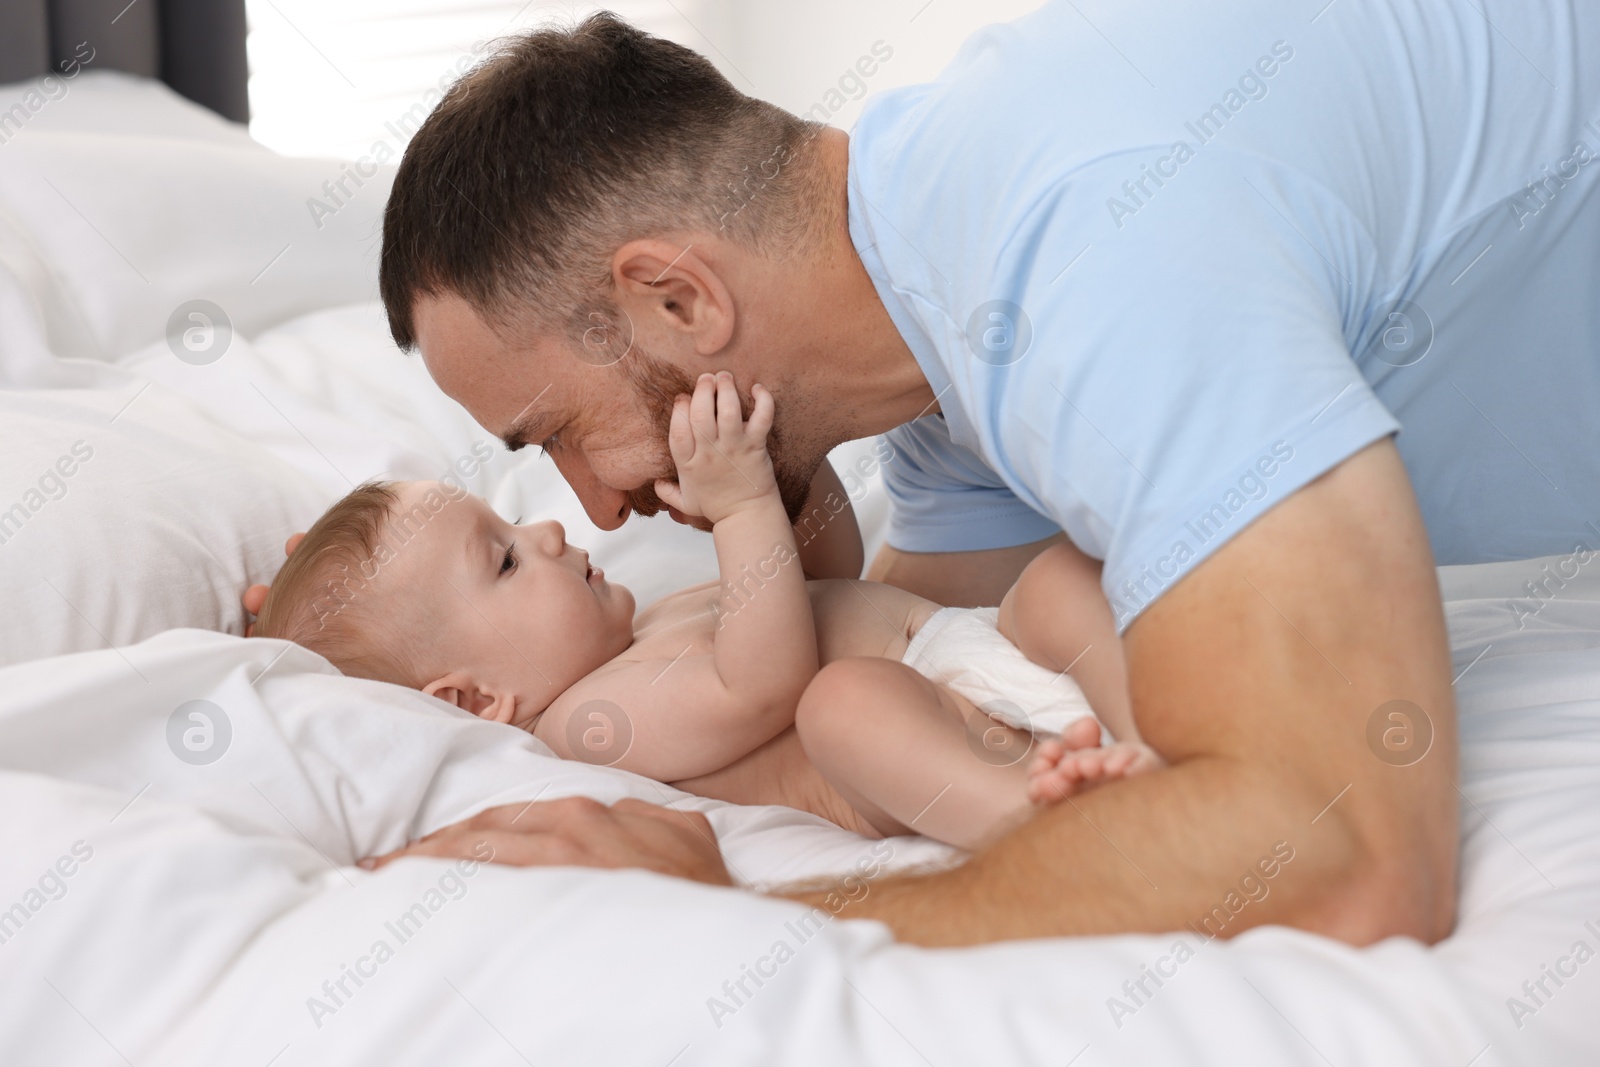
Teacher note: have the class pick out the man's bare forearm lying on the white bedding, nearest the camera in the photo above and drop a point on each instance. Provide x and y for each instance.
(1207, 845)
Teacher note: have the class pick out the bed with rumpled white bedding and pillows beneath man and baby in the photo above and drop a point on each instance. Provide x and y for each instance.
(193, 366)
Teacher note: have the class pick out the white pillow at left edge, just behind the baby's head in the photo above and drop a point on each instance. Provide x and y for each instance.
(126, 513)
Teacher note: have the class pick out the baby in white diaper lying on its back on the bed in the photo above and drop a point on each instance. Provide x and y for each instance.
(761, 689)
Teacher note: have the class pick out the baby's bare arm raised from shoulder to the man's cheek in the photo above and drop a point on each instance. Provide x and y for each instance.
(698, 714)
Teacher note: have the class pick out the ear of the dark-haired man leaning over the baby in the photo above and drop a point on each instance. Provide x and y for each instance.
(670, 286)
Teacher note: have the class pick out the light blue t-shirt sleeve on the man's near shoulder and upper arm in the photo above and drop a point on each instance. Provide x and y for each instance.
(1186, 375)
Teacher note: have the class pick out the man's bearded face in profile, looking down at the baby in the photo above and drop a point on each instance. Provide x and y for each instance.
(604, 422)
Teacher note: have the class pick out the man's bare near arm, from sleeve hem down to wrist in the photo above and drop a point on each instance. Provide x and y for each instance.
(1258, 677)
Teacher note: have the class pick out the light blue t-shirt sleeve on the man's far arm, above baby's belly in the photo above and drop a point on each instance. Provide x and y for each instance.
(943, 498)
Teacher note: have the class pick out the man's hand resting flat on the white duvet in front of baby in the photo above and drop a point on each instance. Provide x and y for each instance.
(582, 833)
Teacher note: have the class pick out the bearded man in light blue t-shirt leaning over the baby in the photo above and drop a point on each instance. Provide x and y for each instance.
(1153, 292)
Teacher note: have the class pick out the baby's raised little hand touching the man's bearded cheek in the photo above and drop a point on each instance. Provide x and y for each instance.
(722, 460)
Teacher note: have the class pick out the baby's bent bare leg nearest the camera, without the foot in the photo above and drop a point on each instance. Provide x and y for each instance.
(914, 757)
